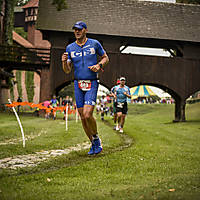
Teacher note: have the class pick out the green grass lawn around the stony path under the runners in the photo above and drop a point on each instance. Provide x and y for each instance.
(154, 158)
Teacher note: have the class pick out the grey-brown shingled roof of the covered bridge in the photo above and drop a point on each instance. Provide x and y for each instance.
(125, 18)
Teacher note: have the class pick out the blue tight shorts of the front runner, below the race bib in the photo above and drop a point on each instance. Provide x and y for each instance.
(86, 97)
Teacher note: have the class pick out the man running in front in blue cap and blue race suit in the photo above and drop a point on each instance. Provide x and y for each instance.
(83, 55)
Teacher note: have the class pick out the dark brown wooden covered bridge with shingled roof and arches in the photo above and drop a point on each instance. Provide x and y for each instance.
(117, 23)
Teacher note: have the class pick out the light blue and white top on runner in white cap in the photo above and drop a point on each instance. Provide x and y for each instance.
(119, 92)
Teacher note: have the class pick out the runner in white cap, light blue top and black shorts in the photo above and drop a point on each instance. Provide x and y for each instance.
(121, 92)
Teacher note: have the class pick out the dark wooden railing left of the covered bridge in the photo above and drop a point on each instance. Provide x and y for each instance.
(16, 54)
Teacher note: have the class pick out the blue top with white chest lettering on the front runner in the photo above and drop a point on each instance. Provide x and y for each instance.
(83, 57)
